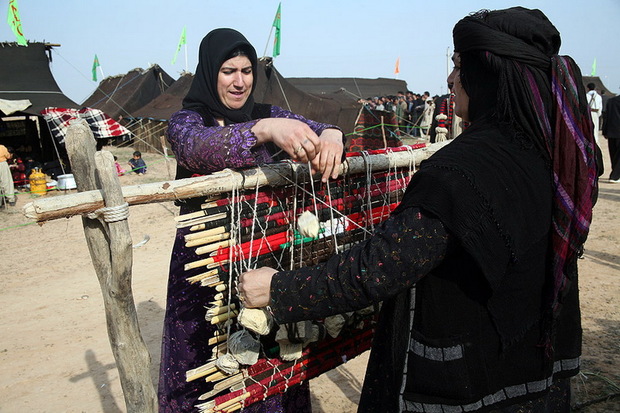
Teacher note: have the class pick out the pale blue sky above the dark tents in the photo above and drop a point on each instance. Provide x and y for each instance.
(320, 38)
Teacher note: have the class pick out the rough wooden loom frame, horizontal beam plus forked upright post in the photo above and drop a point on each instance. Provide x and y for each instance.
(110, 242)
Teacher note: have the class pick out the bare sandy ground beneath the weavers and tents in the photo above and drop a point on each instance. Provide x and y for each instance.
(54, 350)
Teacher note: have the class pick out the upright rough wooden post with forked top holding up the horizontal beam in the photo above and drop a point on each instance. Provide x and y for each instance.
(112, 261)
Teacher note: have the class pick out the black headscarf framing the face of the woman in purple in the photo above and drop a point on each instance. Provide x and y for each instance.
(215, 49)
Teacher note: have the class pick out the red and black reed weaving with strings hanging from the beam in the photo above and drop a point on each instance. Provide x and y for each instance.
(249, 228)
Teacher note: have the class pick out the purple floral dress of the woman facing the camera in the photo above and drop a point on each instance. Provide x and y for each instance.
(204, 149)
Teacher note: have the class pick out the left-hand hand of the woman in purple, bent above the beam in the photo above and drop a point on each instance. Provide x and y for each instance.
(291, 135)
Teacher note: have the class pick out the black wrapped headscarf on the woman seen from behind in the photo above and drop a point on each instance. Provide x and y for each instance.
(502, 53)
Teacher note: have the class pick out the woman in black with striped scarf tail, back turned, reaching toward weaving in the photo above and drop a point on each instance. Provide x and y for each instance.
(477, 267)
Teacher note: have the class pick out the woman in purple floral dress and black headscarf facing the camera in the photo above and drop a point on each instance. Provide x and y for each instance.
(220, 126)
